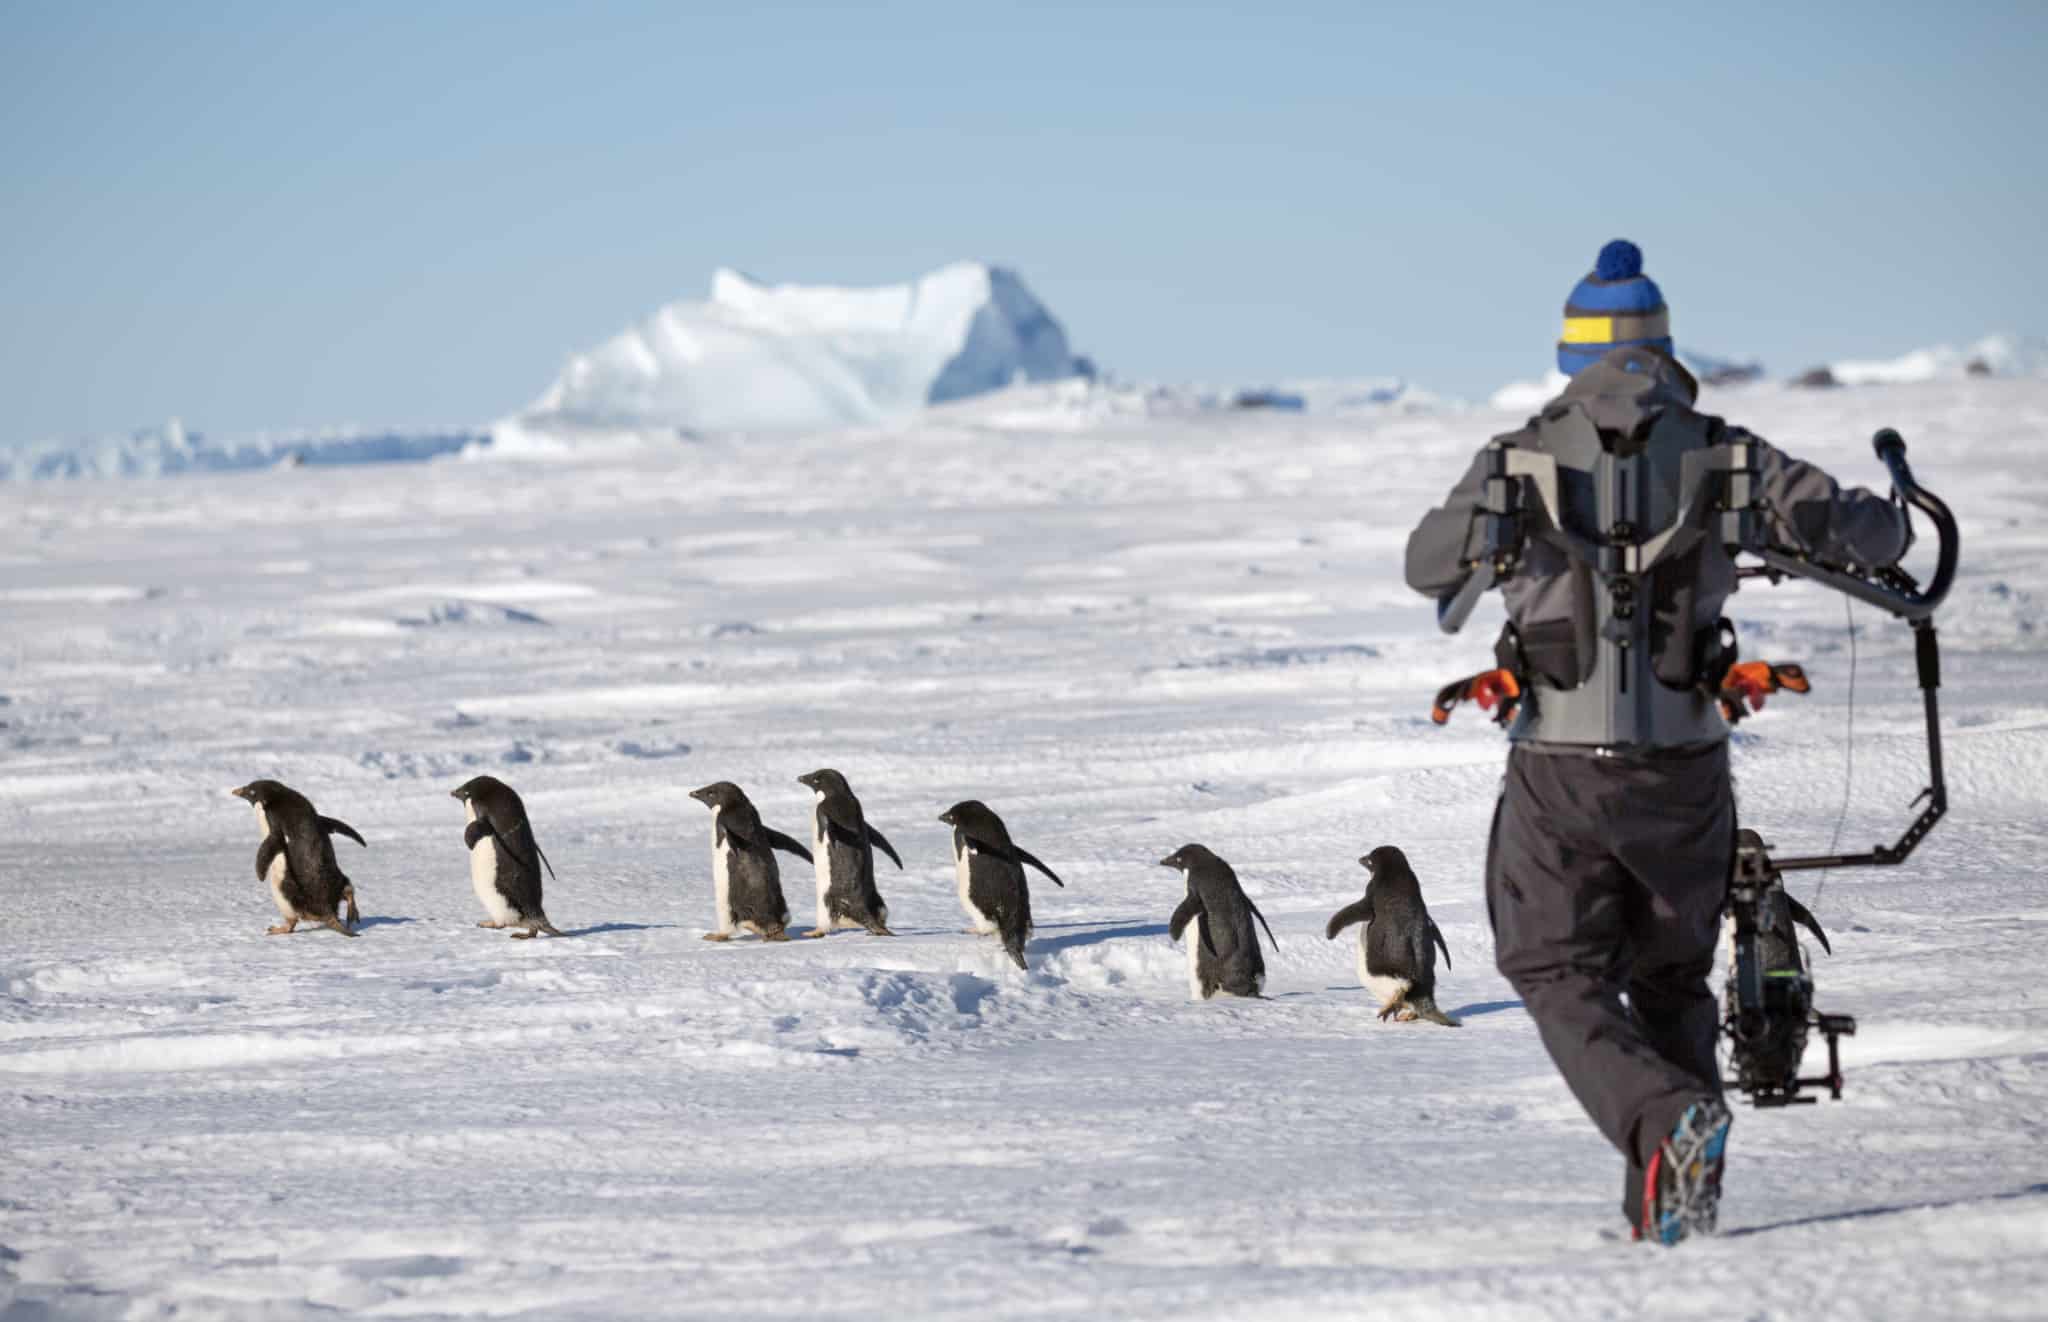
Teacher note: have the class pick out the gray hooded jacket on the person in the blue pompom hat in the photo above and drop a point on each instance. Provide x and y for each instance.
(1648, 398)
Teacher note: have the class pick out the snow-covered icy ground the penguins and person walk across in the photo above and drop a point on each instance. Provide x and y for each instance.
(1123, 635)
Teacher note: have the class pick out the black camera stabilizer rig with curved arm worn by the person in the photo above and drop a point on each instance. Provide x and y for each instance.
(1770, 987)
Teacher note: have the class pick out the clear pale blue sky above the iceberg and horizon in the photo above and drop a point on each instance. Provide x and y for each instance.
(269, 216)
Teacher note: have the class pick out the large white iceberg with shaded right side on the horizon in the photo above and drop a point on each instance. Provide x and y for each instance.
(804, 357)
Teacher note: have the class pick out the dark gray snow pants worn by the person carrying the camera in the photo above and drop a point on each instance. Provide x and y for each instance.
(1609, 877)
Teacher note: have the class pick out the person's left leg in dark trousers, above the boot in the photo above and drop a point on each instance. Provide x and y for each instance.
(1560, 904)
